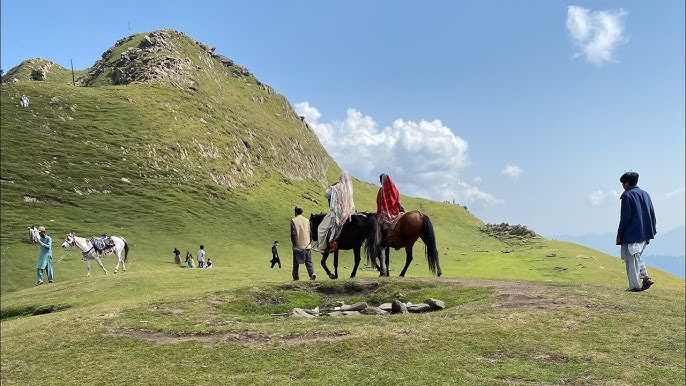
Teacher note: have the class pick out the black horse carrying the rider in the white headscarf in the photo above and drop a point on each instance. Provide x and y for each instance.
(359, 229)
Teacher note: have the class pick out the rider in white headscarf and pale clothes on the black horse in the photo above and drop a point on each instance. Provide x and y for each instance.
(341, 206)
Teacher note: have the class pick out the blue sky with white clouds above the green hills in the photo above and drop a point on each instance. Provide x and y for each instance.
(525, 112)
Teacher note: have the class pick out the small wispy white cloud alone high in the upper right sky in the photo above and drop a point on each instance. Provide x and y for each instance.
(597, 33)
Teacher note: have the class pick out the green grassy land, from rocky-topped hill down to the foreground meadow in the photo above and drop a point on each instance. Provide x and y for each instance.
(168, 144)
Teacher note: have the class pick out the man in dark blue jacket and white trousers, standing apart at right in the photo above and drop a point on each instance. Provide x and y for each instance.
(636, 229)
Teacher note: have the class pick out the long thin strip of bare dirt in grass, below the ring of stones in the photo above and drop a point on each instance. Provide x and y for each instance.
(244, 338)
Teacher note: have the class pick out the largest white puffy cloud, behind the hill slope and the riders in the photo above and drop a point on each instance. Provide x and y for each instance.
(424, 158)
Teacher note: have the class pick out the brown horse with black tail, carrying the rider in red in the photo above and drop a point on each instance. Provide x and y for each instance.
(410, 227)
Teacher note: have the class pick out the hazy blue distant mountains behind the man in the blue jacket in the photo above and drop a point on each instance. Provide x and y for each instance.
(666, 252)
